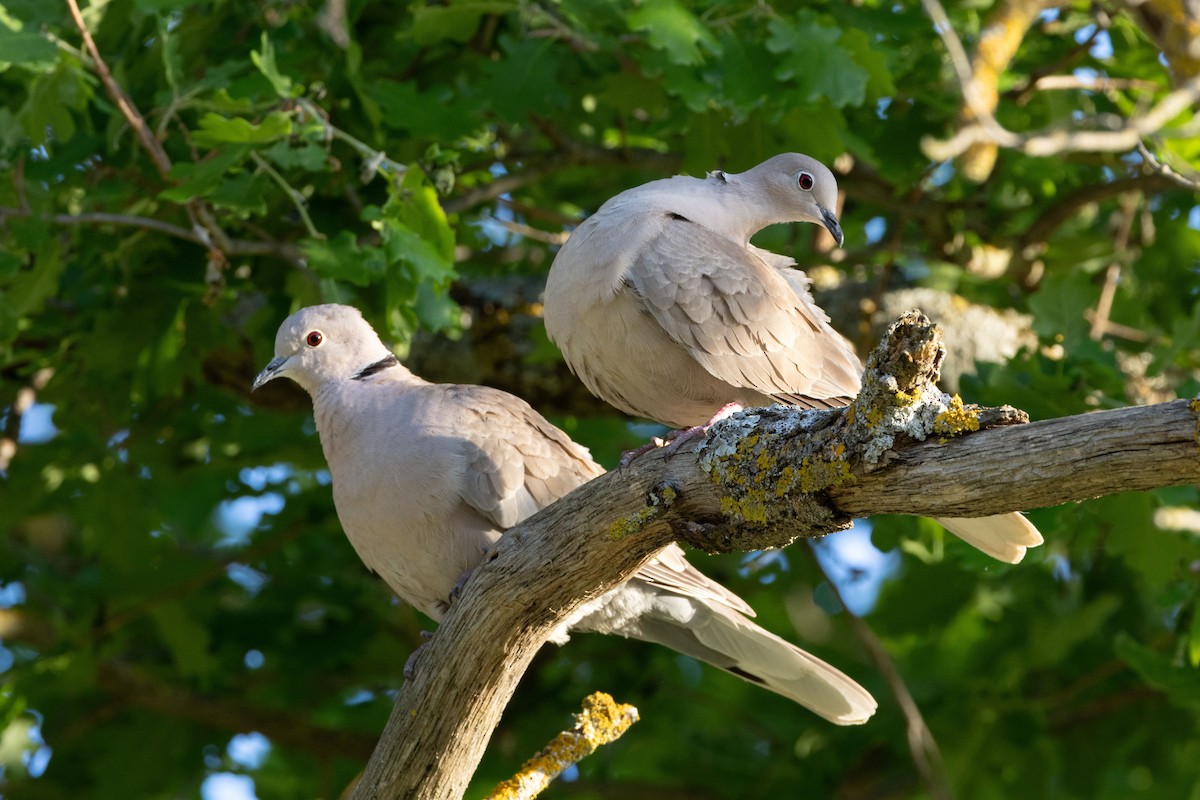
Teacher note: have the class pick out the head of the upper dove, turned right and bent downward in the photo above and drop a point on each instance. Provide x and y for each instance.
(794, 188)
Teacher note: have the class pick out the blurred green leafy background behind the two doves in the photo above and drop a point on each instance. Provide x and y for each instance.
(173, 573)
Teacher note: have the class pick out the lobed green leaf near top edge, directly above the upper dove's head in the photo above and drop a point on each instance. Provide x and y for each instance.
(814, 64)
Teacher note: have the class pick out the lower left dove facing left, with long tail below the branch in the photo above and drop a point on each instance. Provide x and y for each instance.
(428, 478)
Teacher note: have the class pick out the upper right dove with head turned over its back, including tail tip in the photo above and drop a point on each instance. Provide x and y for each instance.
(665, 310)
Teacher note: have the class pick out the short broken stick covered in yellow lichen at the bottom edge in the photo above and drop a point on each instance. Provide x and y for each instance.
(602, 721)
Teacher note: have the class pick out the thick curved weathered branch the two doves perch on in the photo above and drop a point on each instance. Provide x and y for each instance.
(761, 479)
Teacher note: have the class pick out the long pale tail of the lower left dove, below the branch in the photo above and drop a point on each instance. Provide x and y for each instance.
(731, 642)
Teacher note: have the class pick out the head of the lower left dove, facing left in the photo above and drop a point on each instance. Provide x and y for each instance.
(320, 345)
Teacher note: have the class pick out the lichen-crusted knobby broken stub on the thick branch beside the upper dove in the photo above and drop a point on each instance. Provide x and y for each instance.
(775, 467)
